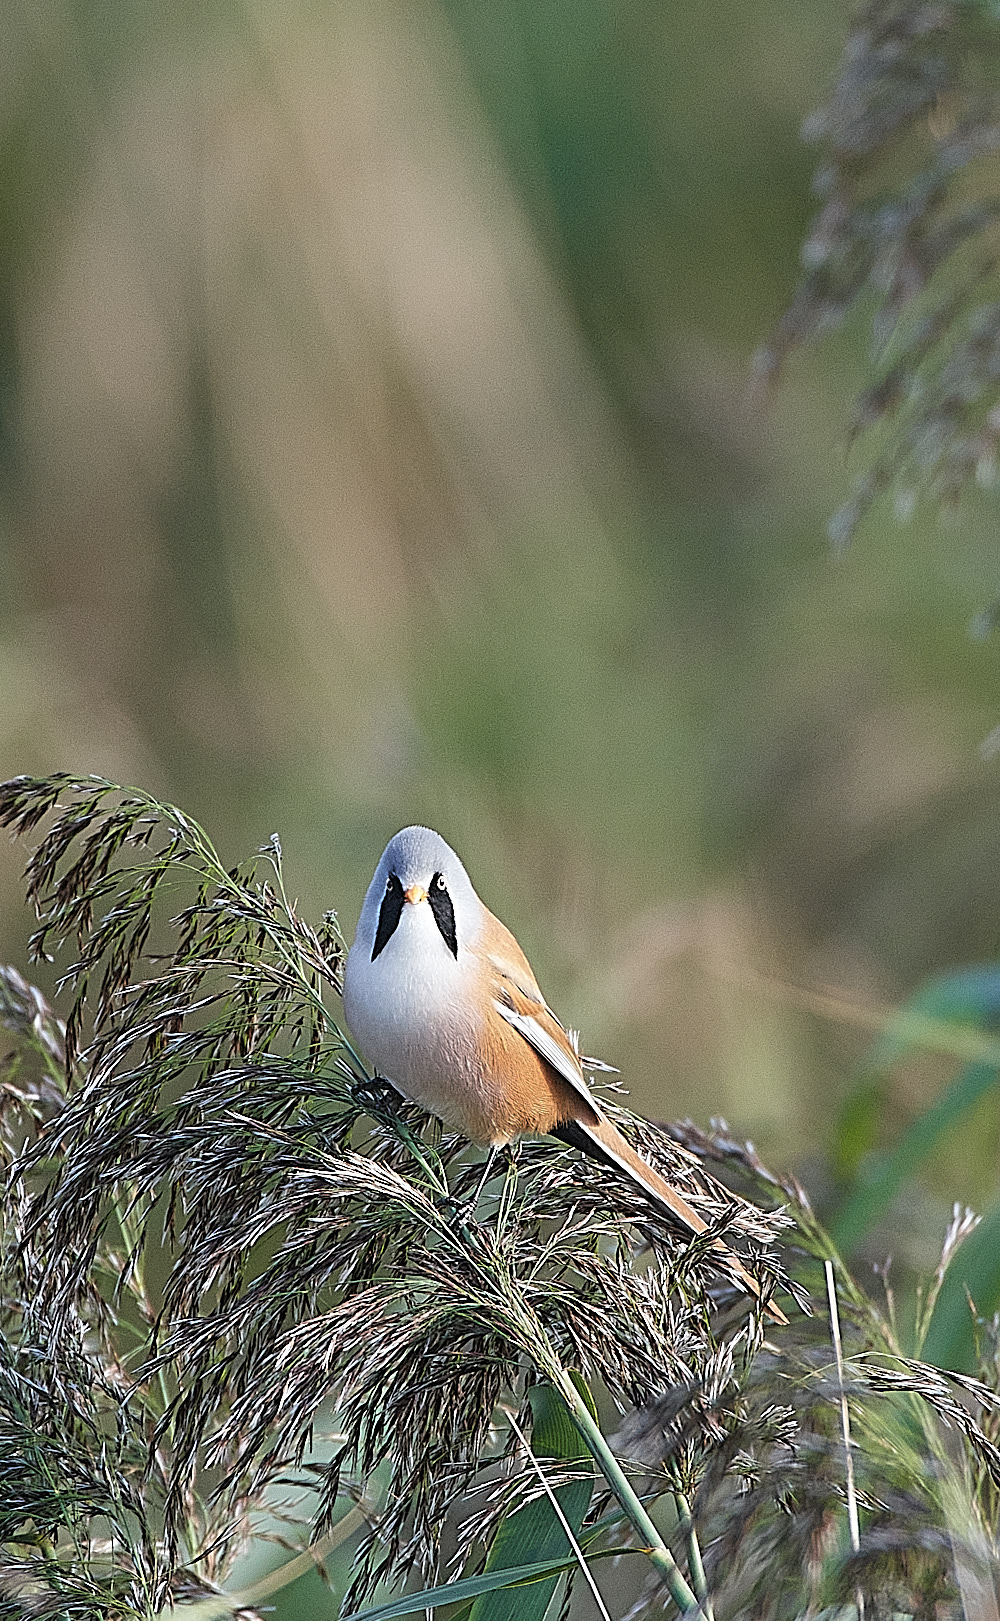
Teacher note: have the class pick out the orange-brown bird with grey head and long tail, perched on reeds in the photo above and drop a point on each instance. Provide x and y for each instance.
(442, 1001)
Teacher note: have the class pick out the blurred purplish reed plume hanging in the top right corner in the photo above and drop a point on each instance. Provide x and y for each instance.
(910, 212)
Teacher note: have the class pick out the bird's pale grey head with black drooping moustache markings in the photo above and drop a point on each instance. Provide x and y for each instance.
(419, 866)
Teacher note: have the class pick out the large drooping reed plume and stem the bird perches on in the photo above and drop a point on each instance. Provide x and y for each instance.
(322, 1241)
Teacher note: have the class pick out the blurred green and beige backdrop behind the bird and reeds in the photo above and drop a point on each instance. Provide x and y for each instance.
(377, 447)
